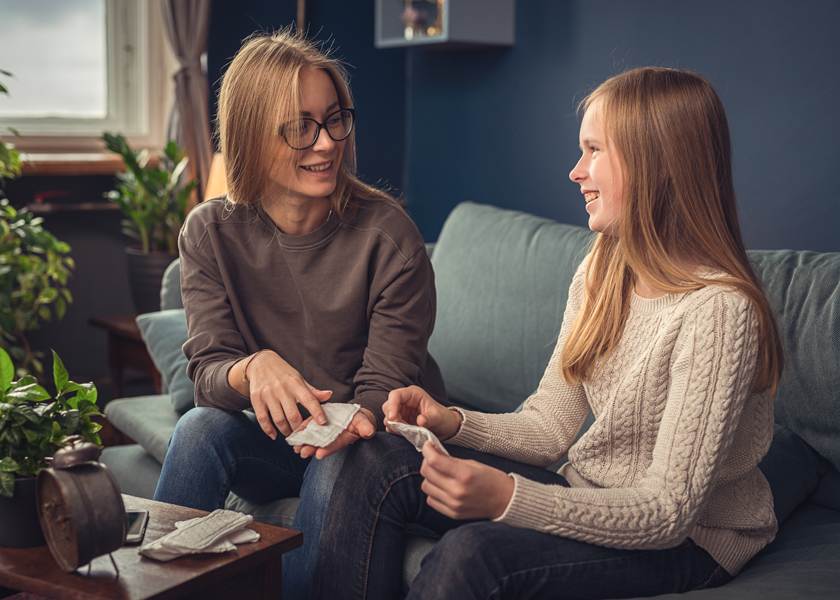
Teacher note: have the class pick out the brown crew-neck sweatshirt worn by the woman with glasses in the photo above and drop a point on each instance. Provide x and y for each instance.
(350, 305)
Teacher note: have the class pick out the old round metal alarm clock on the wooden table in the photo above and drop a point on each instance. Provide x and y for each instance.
(80, 506)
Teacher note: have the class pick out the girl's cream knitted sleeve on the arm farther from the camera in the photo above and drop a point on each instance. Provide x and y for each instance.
(542, 433)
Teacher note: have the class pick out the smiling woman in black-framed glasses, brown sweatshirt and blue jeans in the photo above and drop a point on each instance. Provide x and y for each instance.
(301, 286)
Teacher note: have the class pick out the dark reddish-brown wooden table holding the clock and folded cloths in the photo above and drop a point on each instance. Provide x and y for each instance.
(252, 571)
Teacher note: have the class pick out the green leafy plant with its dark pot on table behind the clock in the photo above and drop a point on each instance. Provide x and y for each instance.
(33, 425)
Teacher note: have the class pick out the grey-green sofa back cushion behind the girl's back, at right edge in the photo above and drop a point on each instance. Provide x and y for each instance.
(804, 288)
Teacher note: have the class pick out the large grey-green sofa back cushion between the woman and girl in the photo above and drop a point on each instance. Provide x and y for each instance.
(502, 281)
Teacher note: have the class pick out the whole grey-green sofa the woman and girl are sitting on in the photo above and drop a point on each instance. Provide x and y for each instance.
(502, 279)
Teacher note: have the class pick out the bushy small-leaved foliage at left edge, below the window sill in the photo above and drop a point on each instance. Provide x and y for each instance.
(34, 271)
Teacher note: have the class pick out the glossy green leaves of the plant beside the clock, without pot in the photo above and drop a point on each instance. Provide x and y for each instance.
(33, 424)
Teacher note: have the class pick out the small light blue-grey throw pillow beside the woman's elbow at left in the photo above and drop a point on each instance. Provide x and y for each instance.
(165, 332)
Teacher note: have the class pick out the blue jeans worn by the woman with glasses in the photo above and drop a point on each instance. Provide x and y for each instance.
(213, 452)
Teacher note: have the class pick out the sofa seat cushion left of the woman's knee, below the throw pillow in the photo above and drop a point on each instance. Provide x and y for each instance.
(148, 420)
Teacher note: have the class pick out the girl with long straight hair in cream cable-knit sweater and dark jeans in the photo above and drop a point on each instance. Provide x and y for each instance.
(667, 337)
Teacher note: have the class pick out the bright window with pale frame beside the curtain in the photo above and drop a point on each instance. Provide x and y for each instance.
(82, 67)
